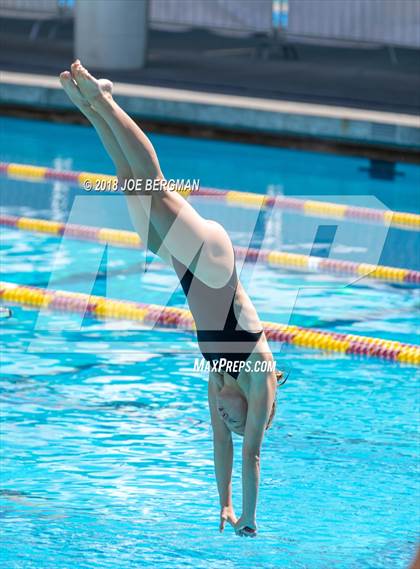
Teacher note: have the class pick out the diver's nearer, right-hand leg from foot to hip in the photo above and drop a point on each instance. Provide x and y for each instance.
(184, 231)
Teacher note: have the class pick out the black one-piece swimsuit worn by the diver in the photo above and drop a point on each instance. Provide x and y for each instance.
(219, 334)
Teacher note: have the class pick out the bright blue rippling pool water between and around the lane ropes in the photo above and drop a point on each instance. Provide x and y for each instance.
(106, 441)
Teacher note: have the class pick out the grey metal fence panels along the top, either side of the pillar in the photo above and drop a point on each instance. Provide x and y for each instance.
(384, 22)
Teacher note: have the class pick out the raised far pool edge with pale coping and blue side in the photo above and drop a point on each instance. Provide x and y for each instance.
(227, 111)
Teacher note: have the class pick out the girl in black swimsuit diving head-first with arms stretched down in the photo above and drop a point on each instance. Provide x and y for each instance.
(229, 332)
